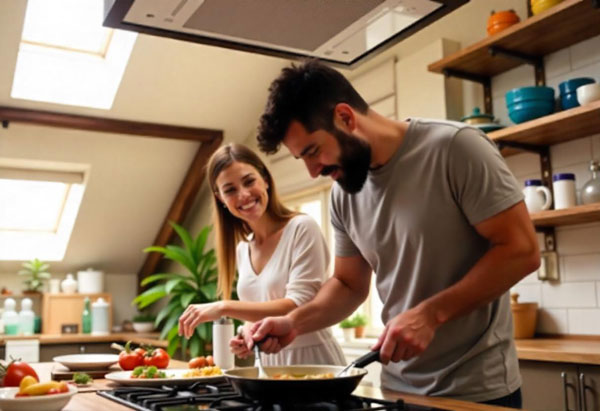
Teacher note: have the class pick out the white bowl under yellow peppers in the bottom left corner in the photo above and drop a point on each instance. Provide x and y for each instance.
(48, 402)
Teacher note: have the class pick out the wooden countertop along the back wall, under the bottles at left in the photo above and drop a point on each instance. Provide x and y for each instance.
(136, 338)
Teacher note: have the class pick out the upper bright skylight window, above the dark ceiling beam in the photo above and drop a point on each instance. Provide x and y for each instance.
(66, 56)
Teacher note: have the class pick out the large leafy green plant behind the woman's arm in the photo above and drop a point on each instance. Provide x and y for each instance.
(197, 285)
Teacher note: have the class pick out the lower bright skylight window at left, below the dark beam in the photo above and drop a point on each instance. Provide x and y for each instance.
(38, 208)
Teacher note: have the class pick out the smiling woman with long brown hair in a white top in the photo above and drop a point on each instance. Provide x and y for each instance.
(280, 255)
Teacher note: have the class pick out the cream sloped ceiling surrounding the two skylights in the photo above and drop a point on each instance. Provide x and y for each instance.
(133, 179)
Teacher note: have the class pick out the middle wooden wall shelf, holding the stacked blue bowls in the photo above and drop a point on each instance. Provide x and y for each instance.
(555, 128)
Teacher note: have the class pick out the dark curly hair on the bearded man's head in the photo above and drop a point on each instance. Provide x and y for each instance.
(307, 93)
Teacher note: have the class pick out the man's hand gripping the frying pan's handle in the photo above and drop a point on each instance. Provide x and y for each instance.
(407, 335)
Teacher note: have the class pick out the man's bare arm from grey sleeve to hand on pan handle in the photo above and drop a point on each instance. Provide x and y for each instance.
(513, 254)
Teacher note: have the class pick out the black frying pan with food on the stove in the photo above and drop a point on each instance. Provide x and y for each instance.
(245, 380)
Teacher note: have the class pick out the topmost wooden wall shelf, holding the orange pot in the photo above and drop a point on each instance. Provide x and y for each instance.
(563, 25)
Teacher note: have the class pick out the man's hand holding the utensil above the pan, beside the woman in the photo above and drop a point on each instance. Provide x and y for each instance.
(273, 332)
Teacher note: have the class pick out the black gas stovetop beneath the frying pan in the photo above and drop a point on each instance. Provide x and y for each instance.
(222, 396)
